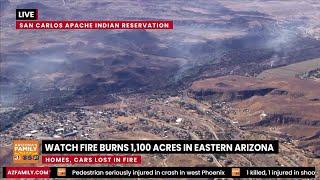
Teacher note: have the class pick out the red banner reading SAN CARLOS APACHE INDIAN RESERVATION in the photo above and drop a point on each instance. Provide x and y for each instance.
(104, 25)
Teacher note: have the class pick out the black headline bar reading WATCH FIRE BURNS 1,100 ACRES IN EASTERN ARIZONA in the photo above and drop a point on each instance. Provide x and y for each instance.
(159, 146)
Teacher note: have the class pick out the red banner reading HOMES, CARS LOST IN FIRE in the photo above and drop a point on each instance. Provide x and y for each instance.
(78, 159)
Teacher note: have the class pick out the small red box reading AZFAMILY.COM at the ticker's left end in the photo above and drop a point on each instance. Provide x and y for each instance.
(27, 172)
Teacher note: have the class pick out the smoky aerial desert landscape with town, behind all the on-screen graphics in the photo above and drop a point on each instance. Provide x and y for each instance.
(247, 69)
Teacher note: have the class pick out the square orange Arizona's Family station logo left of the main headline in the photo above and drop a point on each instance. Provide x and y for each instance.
(26, 151)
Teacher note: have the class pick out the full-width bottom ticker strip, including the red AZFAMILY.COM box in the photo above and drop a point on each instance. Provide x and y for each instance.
(159, 172)
